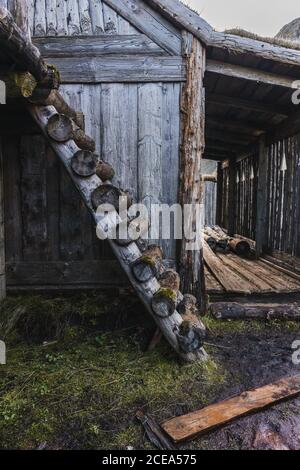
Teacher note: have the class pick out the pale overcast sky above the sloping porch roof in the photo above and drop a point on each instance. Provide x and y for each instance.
(264, 17)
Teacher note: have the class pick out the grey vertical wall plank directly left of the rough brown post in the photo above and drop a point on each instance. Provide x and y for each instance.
(170, 155)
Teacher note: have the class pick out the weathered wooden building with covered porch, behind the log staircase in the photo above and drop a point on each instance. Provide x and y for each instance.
(160, 91)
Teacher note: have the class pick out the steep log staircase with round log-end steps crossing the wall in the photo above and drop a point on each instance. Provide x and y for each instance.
(159, 289)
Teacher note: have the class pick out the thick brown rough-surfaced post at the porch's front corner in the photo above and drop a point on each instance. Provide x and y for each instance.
(192, 149)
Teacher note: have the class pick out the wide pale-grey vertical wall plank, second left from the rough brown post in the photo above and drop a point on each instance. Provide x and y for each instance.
(150, 166)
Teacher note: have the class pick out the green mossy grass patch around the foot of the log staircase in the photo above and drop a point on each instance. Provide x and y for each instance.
(84, 390)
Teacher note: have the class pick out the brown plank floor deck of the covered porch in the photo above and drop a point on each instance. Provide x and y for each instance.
(228, 275)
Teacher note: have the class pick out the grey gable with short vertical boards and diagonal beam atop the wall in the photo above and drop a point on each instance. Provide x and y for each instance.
(99, 17)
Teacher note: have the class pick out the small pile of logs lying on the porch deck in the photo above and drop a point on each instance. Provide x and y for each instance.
(219, 241)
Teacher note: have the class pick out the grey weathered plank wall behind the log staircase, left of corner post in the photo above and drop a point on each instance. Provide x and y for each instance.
(133, 113)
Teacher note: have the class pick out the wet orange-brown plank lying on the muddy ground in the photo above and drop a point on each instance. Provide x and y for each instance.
(190, 425)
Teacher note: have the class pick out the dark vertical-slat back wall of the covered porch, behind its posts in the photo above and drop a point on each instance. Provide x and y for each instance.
(283, 197)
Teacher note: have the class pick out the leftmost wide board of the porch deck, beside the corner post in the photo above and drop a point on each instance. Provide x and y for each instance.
(227, 278)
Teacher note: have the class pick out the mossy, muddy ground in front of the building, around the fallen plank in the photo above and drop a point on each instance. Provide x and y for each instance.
(78, 371)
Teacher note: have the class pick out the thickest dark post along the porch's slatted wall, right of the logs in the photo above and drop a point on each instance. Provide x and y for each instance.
(261, 221)
